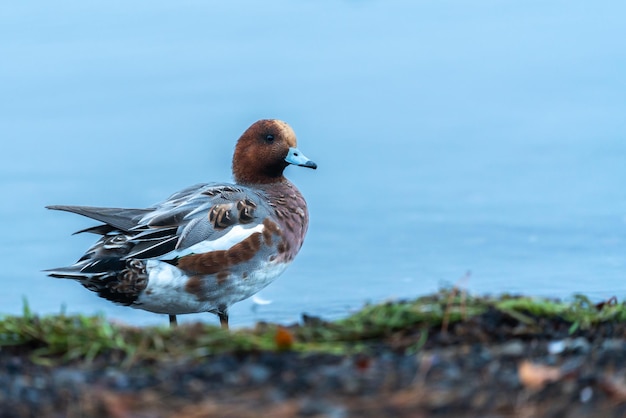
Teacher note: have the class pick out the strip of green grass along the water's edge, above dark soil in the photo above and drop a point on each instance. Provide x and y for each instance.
(62, 338)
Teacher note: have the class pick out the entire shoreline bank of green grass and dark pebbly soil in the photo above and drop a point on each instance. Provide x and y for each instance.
(445, 354)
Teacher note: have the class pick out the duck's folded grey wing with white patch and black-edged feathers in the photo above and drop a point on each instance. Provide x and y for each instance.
(216, 215)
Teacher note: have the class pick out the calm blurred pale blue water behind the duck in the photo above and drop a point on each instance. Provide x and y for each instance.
(451, 137)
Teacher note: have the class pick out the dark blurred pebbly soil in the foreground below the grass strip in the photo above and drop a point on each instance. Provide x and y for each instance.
(488, 366)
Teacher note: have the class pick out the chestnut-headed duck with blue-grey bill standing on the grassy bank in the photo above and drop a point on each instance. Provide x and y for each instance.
(208, 246)
